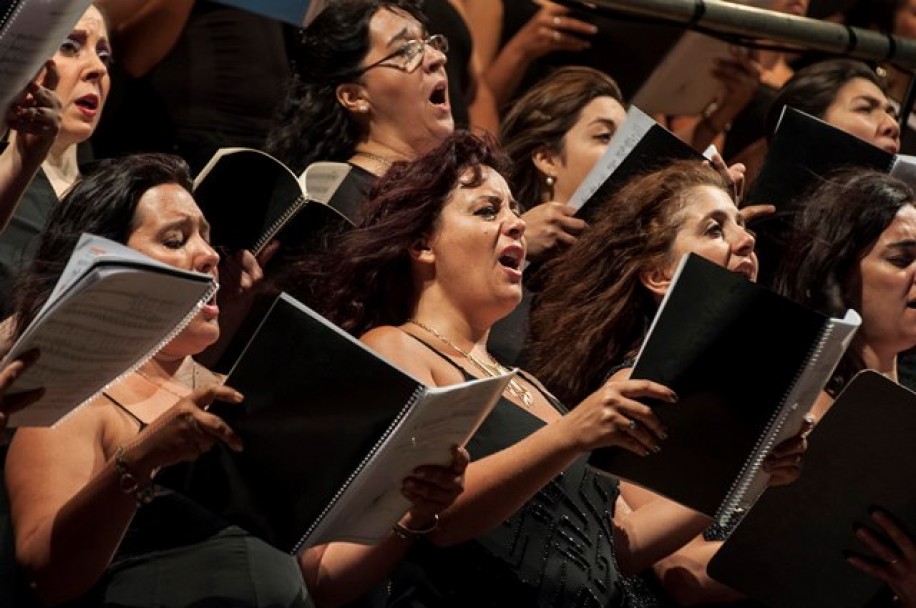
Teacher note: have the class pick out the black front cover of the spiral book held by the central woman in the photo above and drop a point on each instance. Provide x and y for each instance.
(314, 407)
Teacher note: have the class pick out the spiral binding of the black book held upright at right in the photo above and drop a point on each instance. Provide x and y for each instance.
(765, 444)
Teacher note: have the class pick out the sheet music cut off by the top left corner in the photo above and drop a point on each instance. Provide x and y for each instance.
(30, 33)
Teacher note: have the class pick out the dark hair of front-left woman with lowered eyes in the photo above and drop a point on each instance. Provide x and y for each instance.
(102, 203)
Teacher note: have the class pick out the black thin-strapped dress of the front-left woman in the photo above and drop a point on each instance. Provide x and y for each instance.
(177, 554)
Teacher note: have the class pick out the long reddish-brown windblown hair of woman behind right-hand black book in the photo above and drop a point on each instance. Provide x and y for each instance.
(593, 312)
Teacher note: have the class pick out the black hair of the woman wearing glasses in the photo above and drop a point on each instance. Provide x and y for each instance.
(310, 124)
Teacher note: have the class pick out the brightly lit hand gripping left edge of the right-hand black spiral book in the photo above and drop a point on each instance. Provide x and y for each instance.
(614, 416)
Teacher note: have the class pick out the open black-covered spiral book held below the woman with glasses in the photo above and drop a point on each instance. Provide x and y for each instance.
(250, 198)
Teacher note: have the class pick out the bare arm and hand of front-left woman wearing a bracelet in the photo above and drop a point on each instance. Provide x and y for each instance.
(68, 507)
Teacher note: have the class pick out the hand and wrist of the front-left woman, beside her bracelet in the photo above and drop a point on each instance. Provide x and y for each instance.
(183, 432)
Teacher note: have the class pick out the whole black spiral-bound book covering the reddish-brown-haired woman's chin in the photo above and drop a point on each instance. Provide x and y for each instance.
(747, 365)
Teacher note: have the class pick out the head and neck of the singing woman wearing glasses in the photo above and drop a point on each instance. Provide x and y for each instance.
(370, 89)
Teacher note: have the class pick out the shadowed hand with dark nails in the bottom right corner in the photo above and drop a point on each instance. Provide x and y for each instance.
(895, 556)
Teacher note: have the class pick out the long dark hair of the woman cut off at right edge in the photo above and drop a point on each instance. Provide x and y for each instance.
(840, 220)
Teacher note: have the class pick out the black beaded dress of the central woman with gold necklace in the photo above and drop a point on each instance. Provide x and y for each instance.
(557, 550)
